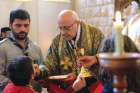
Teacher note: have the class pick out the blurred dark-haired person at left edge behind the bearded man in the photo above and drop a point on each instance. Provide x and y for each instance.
(5, 32)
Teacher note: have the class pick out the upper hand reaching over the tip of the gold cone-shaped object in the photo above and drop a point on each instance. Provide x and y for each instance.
(87, 61)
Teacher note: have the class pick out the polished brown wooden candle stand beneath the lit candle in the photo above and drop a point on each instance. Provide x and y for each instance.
(119, 66)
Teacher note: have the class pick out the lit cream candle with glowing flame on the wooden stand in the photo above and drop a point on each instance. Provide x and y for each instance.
(118, 25)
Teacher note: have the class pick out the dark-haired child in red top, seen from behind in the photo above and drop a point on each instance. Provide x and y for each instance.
(20, 72)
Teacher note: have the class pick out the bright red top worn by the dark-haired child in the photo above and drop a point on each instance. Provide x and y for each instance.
(11, 88)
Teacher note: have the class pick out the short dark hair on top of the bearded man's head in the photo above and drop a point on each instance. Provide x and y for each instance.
(19, 14)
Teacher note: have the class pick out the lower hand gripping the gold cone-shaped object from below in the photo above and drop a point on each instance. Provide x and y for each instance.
(79, 83)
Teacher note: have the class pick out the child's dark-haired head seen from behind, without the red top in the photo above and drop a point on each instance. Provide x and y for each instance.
(20, 70)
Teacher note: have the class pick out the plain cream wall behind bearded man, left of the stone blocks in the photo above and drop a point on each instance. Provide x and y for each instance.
(43, 18)
